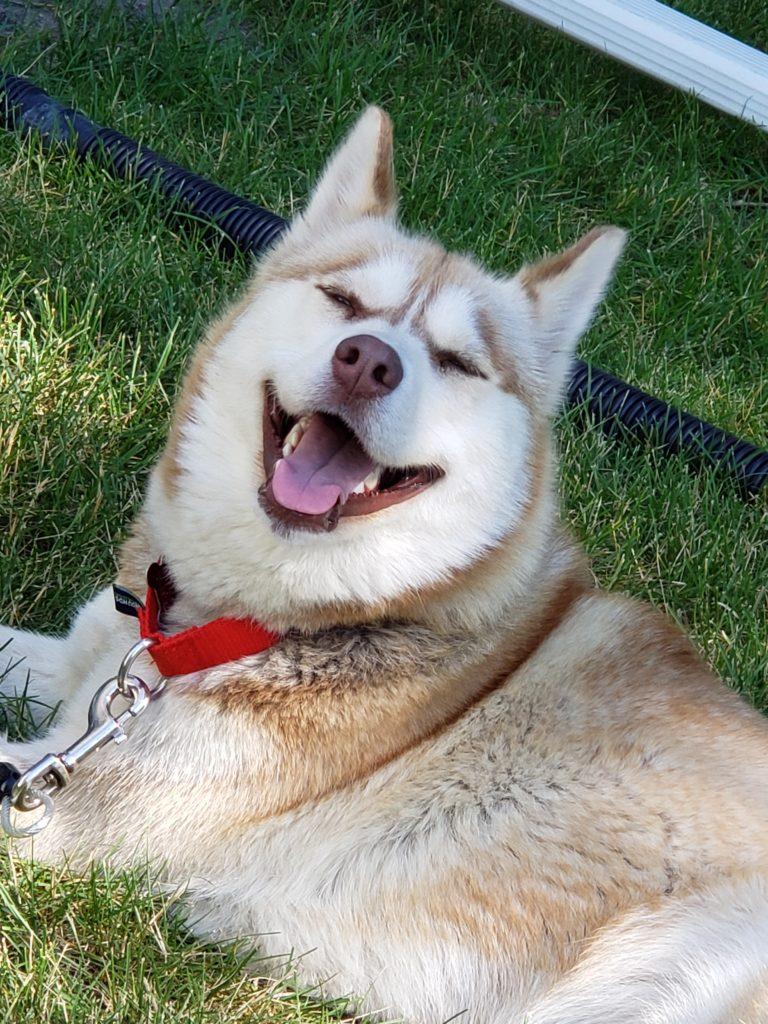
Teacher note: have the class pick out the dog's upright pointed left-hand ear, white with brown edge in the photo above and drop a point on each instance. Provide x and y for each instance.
(359, 181)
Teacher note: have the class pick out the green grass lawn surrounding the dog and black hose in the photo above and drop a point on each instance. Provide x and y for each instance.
(513, 141)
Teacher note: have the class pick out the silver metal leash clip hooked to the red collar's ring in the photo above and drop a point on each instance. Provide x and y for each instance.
(37, 787)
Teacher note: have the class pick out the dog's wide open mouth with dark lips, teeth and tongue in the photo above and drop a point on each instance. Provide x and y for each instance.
(318, 472)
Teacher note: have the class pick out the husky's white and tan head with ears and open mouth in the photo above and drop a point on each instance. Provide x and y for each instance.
(366, 424)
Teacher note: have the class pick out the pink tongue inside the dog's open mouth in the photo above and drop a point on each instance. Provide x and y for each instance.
(326, 467)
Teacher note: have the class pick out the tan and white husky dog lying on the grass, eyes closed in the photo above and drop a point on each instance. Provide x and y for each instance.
(464, 782)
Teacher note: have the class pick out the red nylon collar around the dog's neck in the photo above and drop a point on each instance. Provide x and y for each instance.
(201, 647)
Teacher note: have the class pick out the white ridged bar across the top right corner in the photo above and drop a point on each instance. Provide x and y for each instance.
(668, 46)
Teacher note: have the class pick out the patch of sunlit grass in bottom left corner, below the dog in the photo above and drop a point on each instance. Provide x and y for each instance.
(102, 950)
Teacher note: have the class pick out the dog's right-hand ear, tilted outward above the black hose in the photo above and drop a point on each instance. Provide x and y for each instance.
(564, 293)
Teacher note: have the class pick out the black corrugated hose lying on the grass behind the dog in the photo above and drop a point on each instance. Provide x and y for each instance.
(611, 402)
